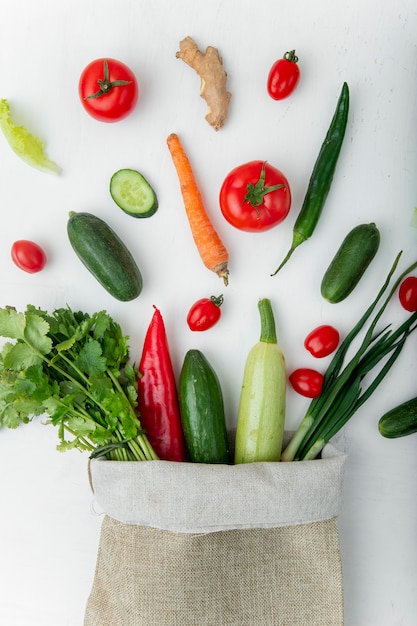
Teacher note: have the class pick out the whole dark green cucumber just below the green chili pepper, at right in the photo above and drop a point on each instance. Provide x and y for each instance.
(350, 262)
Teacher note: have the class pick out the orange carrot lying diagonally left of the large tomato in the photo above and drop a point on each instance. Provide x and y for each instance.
(209, 245)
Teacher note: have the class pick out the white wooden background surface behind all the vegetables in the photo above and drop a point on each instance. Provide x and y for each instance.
(49, 530)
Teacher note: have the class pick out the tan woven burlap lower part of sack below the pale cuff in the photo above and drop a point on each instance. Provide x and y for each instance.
(254, 577)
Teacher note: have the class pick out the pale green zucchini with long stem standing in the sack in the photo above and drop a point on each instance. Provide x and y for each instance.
(262, 405)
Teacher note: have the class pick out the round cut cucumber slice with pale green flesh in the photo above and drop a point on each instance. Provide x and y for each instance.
(132, 193)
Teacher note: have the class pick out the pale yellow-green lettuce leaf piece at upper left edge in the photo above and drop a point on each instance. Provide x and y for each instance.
(27, 146)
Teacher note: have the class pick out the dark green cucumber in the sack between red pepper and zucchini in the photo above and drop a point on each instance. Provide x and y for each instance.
(202, 410)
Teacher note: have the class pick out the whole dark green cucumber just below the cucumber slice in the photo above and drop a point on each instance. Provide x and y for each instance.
(105, 255)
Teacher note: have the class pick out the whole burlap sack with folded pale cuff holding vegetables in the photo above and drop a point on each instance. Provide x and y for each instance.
(186, 544)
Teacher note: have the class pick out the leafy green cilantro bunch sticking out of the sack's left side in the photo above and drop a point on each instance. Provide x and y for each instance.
(74, 368)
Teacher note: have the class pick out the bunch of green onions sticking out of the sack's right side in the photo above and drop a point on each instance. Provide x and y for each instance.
(344, 388)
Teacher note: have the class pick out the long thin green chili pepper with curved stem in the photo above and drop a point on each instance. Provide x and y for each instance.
(321, 177)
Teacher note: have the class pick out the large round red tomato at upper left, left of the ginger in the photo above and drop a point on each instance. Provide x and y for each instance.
(108, 90)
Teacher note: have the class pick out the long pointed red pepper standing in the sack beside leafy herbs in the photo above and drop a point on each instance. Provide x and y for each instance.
(157, 394)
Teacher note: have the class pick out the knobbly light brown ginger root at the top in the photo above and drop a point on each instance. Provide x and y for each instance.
(209, 66)
